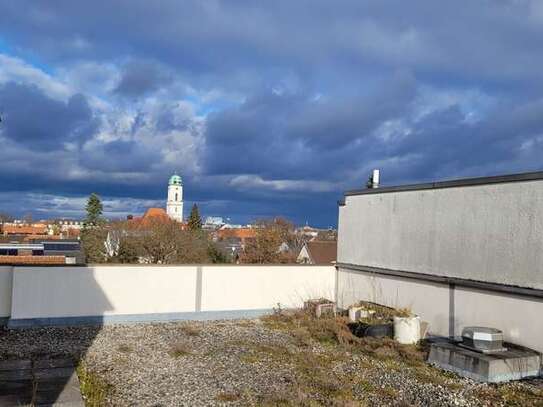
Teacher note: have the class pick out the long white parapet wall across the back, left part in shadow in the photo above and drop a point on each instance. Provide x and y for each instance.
(124, 293)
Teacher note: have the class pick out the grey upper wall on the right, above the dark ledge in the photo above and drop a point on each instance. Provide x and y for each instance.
(491, 233)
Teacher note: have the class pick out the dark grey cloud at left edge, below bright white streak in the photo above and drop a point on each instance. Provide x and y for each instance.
(35, 120)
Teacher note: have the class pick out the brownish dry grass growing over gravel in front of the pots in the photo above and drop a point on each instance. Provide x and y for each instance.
(315, 381)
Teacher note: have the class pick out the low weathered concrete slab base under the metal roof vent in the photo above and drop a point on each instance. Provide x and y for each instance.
(515, 363)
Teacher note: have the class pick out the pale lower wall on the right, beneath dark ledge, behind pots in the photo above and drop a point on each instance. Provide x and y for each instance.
(446, 307)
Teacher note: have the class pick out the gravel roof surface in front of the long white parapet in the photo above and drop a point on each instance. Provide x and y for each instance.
(238, 363)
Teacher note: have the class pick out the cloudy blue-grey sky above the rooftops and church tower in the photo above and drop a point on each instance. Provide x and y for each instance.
(265, 108)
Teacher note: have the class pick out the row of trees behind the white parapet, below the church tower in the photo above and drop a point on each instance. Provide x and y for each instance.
(165, 241)
